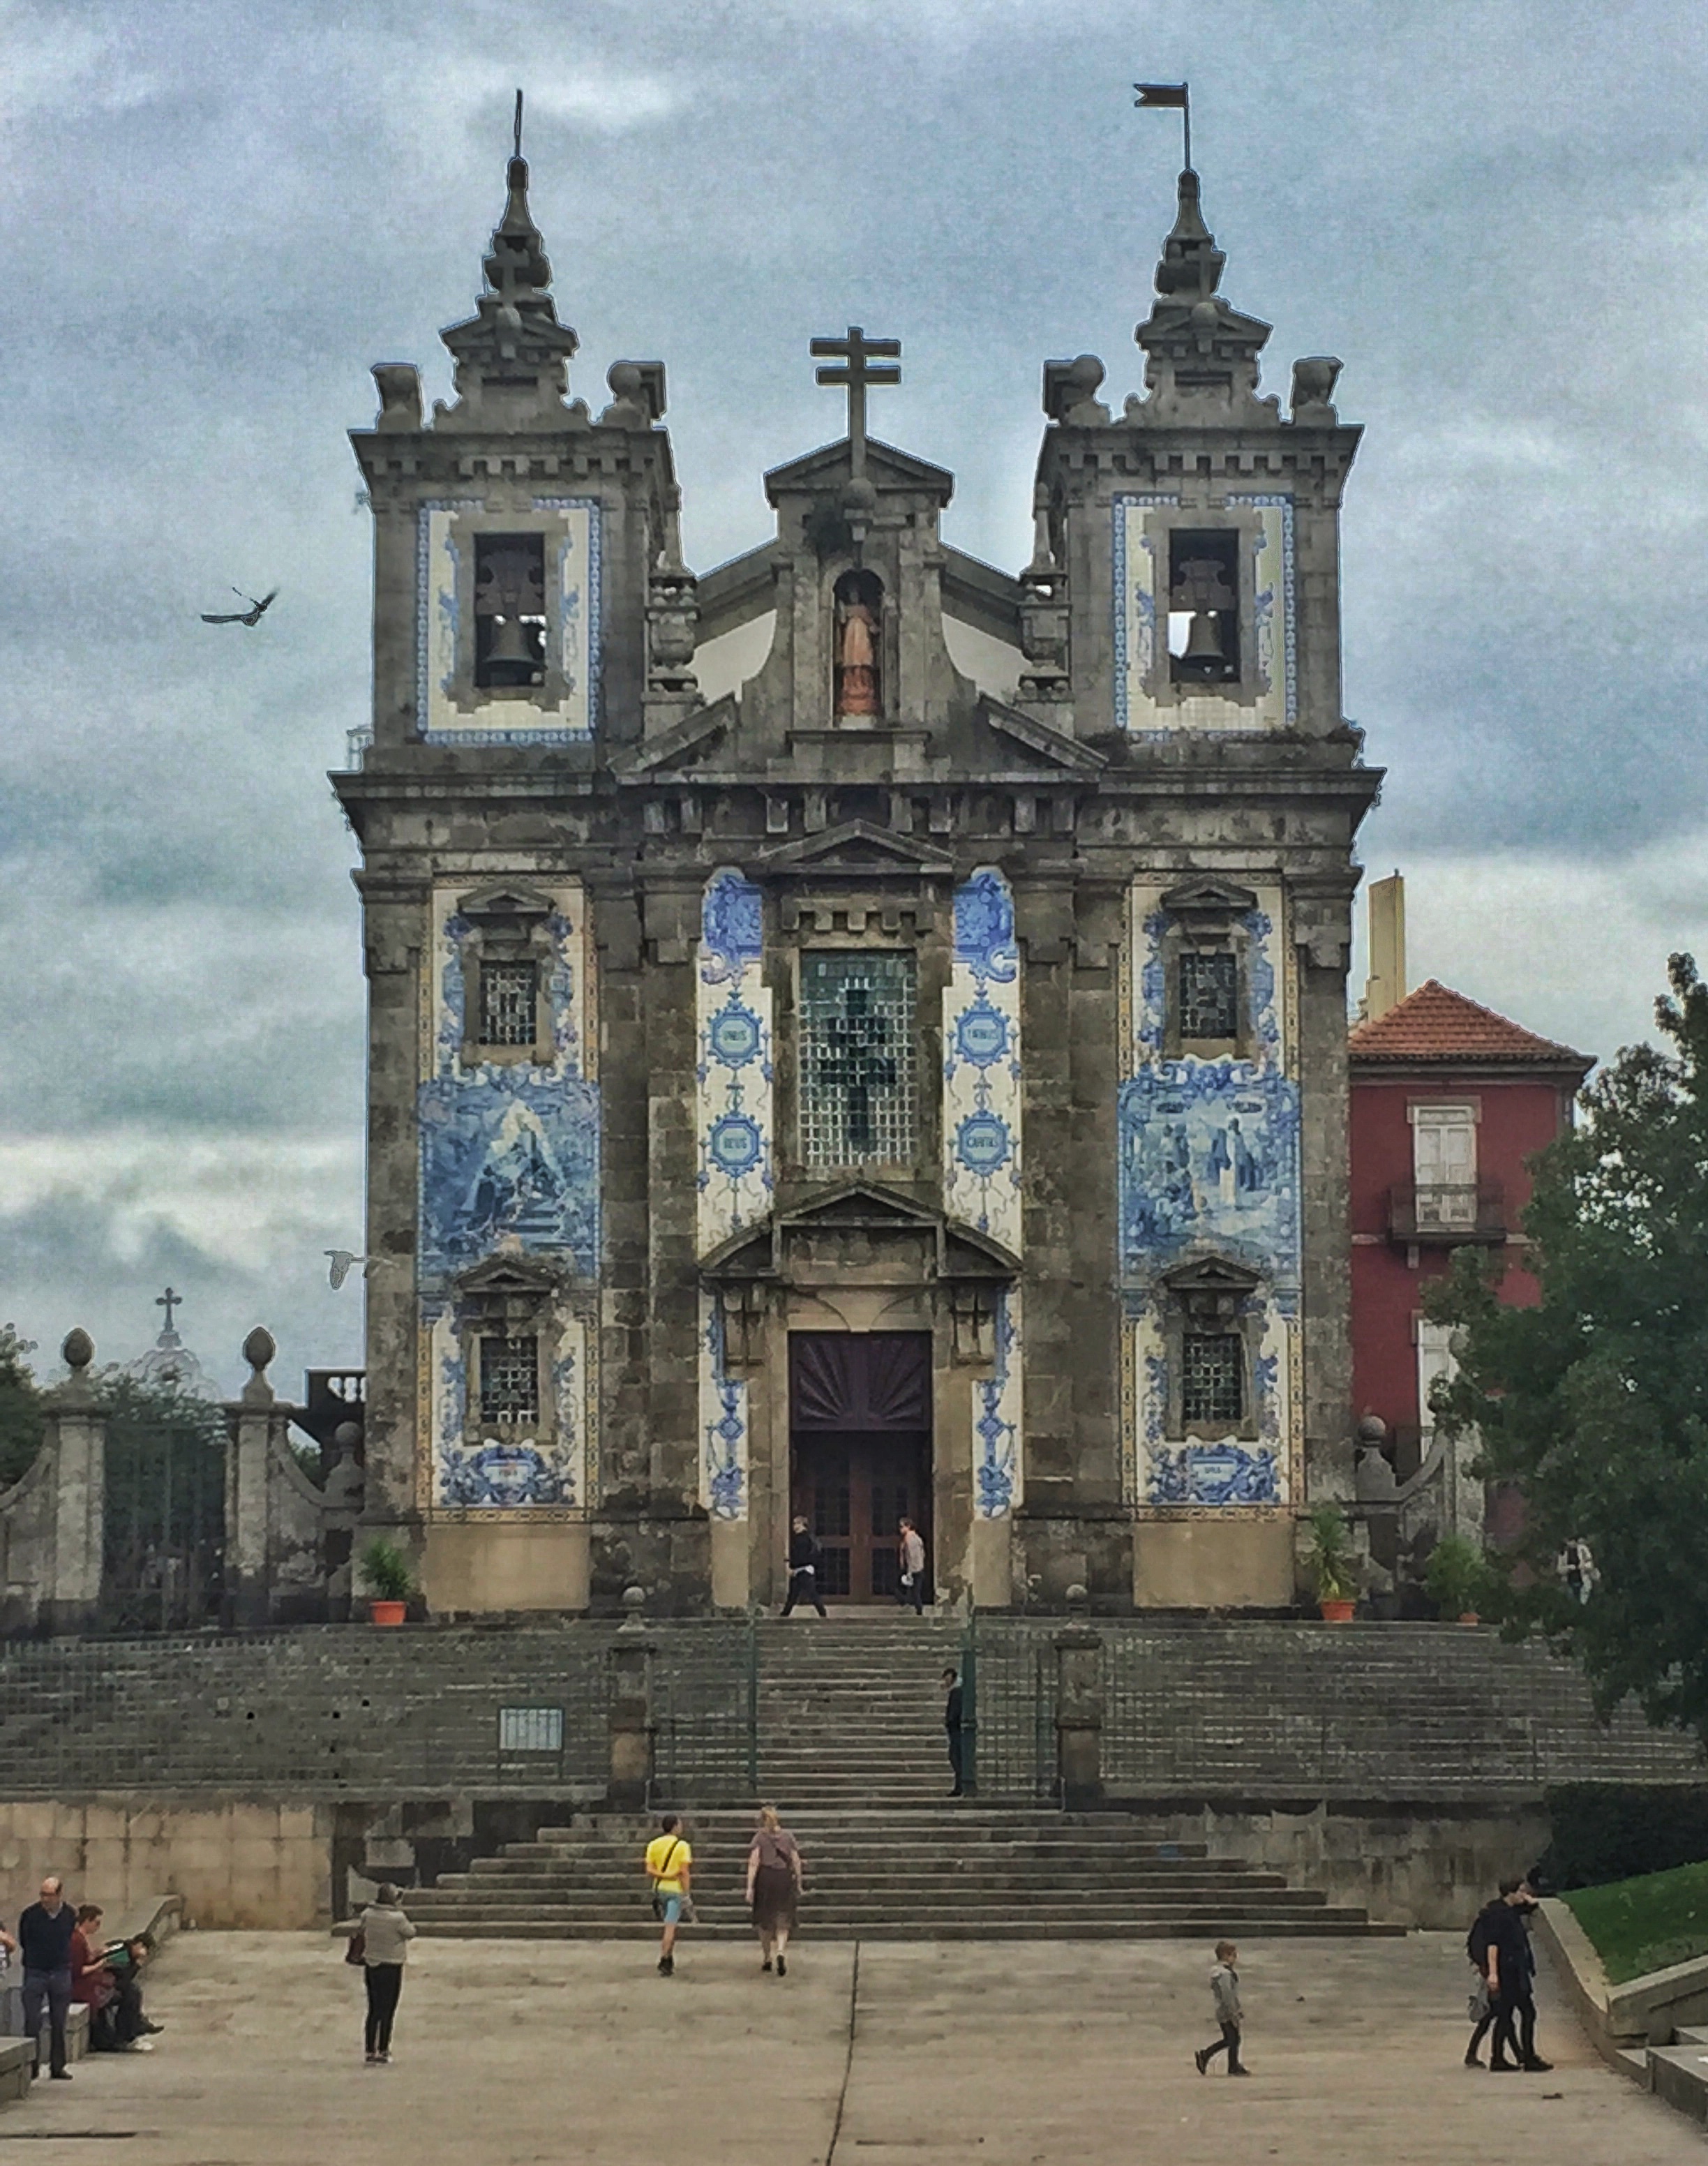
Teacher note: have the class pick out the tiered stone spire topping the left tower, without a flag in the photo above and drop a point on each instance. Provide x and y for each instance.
(514, 354)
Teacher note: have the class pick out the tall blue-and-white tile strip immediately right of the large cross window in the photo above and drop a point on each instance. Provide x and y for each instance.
(982, 1062)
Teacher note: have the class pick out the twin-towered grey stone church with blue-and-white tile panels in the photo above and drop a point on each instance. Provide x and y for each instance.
(856, 1032)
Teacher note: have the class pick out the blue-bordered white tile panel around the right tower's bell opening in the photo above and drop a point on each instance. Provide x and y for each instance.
(1142, 621)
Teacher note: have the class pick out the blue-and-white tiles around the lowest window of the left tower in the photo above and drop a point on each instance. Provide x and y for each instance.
(540, 1465)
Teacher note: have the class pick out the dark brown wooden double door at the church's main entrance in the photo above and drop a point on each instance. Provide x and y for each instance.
(860, 1435)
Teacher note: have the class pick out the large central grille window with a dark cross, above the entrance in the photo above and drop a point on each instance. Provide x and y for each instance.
(858, 1097)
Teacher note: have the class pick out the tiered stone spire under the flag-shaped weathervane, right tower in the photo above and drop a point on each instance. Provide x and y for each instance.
(1200, 354)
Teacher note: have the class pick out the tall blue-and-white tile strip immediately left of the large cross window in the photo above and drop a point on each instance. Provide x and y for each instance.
(735, 1073)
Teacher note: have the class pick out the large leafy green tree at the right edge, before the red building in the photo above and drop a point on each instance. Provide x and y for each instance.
(1597, 1400)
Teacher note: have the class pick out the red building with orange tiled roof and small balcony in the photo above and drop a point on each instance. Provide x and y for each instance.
(1449, 1101)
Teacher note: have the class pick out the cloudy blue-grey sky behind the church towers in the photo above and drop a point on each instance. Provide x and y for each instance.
(220, 218)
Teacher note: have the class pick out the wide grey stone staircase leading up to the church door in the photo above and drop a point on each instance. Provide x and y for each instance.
(852, 1751)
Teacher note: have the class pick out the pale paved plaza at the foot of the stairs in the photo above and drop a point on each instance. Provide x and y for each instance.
(1003, 2054)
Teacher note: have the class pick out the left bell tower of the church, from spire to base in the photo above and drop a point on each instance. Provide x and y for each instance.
(531, 621)
